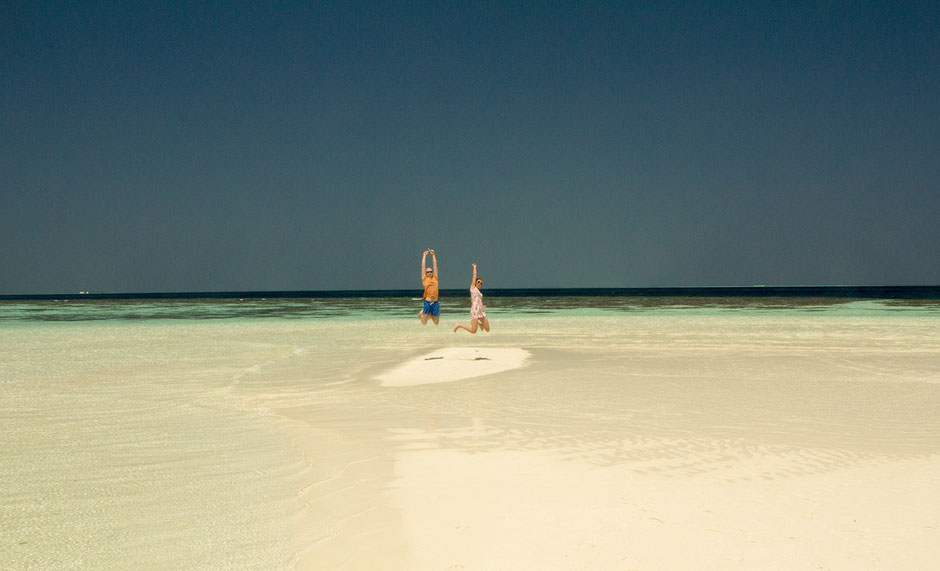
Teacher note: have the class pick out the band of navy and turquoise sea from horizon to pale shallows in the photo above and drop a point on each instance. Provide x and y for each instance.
(377, 304)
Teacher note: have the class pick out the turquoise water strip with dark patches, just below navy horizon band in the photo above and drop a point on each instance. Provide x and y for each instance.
(358, 308)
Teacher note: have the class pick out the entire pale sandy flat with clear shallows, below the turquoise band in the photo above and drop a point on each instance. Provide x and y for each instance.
(661, 440)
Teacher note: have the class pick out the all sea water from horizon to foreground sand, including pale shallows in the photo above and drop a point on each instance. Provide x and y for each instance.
(245, 430)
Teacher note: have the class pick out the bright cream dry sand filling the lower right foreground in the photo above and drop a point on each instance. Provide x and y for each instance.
(538, 510)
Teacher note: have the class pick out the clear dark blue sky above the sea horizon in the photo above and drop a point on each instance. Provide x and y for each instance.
(218, 146)
